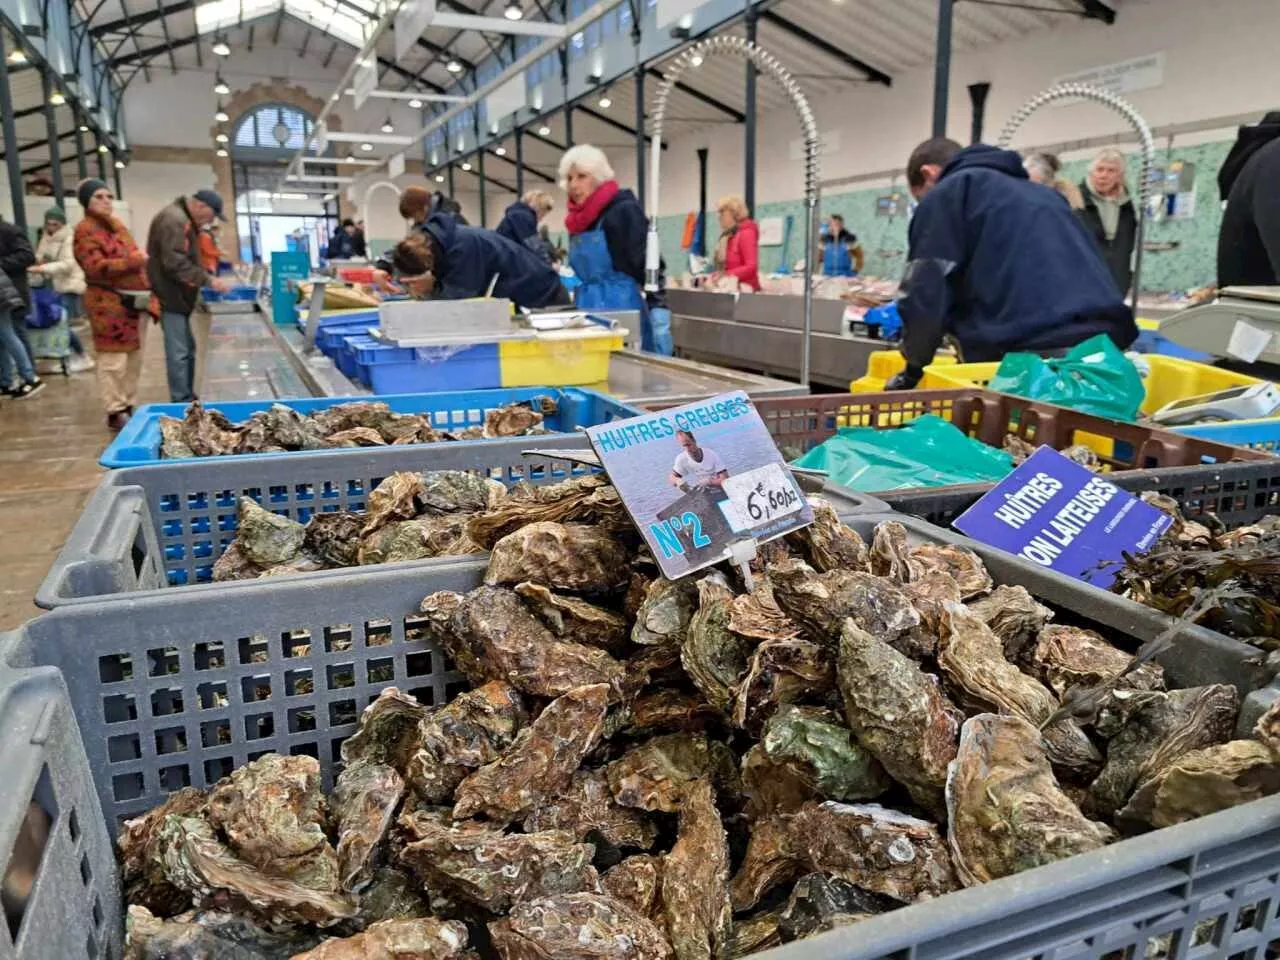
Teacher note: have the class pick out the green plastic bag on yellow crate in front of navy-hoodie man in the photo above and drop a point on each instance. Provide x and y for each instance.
(1095, 378)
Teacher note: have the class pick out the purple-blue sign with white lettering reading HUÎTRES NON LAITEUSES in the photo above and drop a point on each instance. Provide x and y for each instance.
(1059, 515)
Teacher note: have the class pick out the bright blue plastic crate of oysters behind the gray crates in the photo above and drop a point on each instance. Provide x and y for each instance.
(452, 410)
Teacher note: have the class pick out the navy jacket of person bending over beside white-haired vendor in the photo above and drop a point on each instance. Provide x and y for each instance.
(472, 257)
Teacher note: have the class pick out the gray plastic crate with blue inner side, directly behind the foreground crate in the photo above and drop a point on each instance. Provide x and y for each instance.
(161, 528)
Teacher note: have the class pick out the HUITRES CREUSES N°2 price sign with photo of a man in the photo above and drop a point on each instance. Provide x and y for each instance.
(700, 478)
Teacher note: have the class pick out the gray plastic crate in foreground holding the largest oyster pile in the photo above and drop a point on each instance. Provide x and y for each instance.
(175, 693)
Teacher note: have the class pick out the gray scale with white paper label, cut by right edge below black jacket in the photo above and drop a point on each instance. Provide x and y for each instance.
(1244, 324)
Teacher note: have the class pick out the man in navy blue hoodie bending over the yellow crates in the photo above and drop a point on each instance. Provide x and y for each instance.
(999, 263)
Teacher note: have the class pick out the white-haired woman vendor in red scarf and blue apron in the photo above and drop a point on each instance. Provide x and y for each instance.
(607, 232)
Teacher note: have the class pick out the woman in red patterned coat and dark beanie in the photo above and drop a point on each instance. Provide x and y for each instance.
(116, 299)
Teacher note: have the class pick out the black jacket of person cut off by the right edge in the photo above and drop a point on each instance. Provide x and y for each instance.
(1249, 244)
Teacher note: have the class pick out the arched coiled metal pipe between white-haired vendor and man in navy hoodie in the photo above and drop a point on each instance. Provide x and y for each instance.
(767, 65)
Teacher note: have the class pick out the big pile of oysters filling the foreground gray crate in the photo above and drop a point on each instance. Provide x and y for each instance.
(650, 770)
